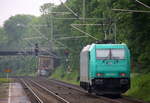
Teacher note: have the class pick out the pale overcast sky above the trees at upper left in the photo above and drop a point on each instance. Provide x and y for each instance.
(12, 7)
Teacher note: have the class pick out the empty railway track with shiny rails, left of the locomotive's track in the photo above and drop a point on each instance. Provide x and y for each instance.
(40, 94)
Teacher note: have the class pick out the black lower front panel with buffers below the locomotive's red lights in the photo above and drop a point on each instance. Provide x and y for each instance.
(111, 84)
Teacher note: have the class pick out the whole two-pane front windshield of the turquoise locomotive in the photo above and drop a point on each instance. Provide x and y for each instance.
(110, 54)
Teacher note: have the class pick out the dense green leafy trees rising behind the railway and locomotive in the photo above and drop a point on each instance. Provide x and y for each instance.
(132, 29)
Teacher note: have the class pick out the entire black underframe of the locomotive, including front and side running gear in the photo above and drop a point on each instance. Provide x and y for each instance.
(107, 85)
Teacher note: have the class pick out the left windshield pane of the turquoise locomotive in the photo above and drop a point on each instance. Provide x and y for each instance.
(102, 53)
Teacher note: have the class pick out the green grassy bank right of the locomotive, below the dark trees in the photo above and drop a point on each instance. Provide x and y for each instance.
(140, 87)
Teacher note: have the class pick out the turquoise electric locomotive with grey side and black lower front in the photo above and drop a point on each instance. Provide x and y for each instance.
(105, 68)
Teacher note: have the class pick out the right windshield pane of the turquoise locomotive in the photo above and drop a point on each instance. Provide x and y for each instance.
(117, 54)
